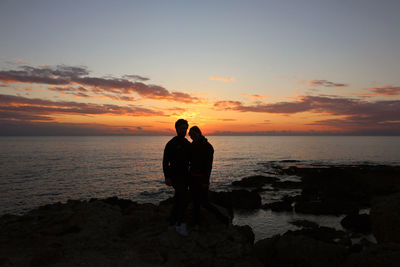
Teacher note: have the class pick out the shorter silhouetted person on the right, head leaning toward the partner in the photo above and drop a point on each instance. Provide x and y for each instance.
(201, 160)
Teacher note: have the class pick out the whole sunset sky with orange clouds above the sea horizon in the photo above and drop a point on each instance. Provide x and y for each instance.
(230, 67)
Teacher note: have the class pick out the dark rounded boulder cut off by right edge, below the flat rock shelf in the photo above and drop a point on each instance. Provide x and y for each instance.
(385, 218)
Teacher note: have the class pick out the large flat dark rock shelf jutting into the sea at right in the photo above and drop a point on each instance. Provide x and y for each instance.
(349, 184)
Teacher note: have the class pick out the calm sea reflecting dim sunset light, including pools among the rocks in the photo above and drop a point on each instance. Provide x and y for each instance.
(42, 170)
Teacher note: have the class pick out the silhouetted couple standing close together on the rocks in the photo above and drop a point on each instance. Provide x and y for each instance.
(187, 166)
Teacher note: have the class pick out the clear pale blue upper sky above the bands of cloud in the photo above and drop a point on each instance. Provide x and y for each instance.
(271, 48)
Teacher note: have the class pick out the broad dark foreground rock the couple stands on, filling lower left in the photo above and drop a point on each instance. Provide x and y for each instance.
(116, 232)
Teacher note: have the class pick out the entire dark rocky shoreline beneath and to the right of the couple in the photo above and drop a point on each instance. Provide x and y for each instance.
(119, 232)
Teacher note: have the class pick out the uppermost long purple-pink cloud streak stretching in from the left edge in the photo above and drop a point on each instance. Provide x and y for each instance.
(68, 76)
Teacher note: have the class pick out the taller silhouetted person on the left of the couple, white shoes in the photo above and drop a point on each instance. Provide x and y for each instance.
(176, 172)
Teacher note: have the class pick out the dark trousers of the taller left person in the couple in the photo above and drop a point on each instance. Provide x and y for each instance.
(180, 203)
